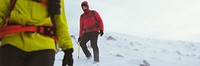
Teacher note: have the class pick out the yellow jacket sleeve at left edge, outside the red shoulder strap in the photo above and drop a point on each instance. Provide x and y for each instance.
(3, 10)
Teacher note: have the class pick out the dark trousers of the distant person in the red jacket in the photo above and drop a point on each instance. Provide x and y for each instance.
(92, 36)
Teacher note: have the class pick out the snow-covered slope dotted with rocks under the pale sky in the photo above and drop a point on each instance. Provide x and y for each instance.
(126, 50)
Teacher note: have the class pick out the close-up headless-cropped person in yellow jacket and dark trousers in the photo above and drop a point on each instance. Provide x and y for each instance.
(34, 48)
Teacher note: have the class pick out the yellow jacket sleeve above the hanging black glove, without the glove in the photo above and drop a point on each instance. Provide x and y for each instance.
(63, 35)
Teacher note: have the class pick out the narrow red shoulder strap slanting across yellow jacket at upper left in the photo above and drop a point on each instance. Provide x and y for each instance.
(12, 5)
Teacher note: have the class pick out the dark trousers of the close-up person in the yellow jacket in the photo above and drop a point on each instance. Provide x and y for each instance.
(12, 56)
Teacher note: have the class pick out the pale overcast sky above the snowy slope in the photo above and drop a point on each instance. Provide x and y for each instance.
(165, 19)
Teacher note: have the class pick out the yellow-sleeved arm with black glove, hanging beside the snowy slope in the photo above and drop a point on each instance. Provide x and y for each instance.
(63, 35)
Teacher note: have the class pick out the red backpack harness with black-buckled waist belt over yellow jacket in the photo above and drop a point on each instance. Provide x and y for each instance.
(7, 29)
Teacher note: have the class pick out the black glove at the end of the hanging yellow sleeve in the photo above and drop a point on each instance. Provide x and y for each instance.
(68, 58)
